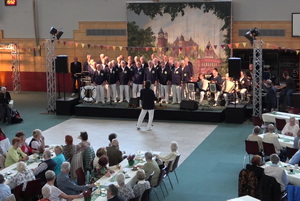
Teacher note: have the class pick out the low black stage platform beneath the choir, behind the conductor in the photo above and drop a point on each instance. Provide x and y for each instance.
(170, 112)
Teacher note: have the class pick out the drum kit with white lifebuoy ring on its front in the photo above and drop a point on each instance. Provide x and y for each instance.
(87, 89)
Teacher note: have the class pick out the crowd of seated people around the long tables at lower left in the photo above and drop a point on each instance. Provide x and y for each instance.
(54, 170)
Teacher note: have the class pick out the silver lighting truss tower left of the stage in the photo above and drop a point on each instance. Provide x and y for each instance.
(51, 76)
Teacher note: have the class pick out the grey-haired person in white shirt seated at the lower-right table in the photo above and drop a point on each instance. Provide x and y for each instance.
(275, 171)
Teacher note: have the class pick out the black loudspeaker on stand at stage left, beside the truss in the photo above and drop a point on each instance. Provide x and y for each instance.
(61, 66)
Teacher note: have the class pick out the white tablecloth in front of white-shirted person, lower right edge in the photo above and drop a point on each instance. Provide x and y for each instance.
(294, 178)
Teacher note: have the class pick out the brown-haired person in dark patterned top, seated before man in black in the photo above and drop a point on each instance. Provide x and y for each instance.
(101, 170)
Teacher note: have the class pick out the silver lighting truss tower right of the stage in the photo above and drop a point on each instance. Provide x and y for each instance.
(257, 78)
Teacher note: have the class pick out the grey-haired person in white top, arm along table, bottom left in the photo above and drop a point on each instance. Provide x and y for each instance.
(55, 193)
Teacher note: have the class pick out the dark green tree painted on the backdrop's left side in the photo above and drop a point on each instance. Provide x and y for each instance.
(138, 37)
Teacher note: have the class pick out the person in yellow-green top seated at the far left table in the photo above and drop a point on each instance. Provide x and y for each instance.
(15, 154)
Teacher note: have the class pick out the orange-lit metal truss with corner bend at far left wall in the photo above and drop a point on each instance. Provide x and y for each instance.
(15, 64)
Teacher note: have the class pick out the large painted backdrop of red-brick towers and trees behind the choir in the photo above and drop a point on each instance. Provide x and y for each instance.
(199, 31)
